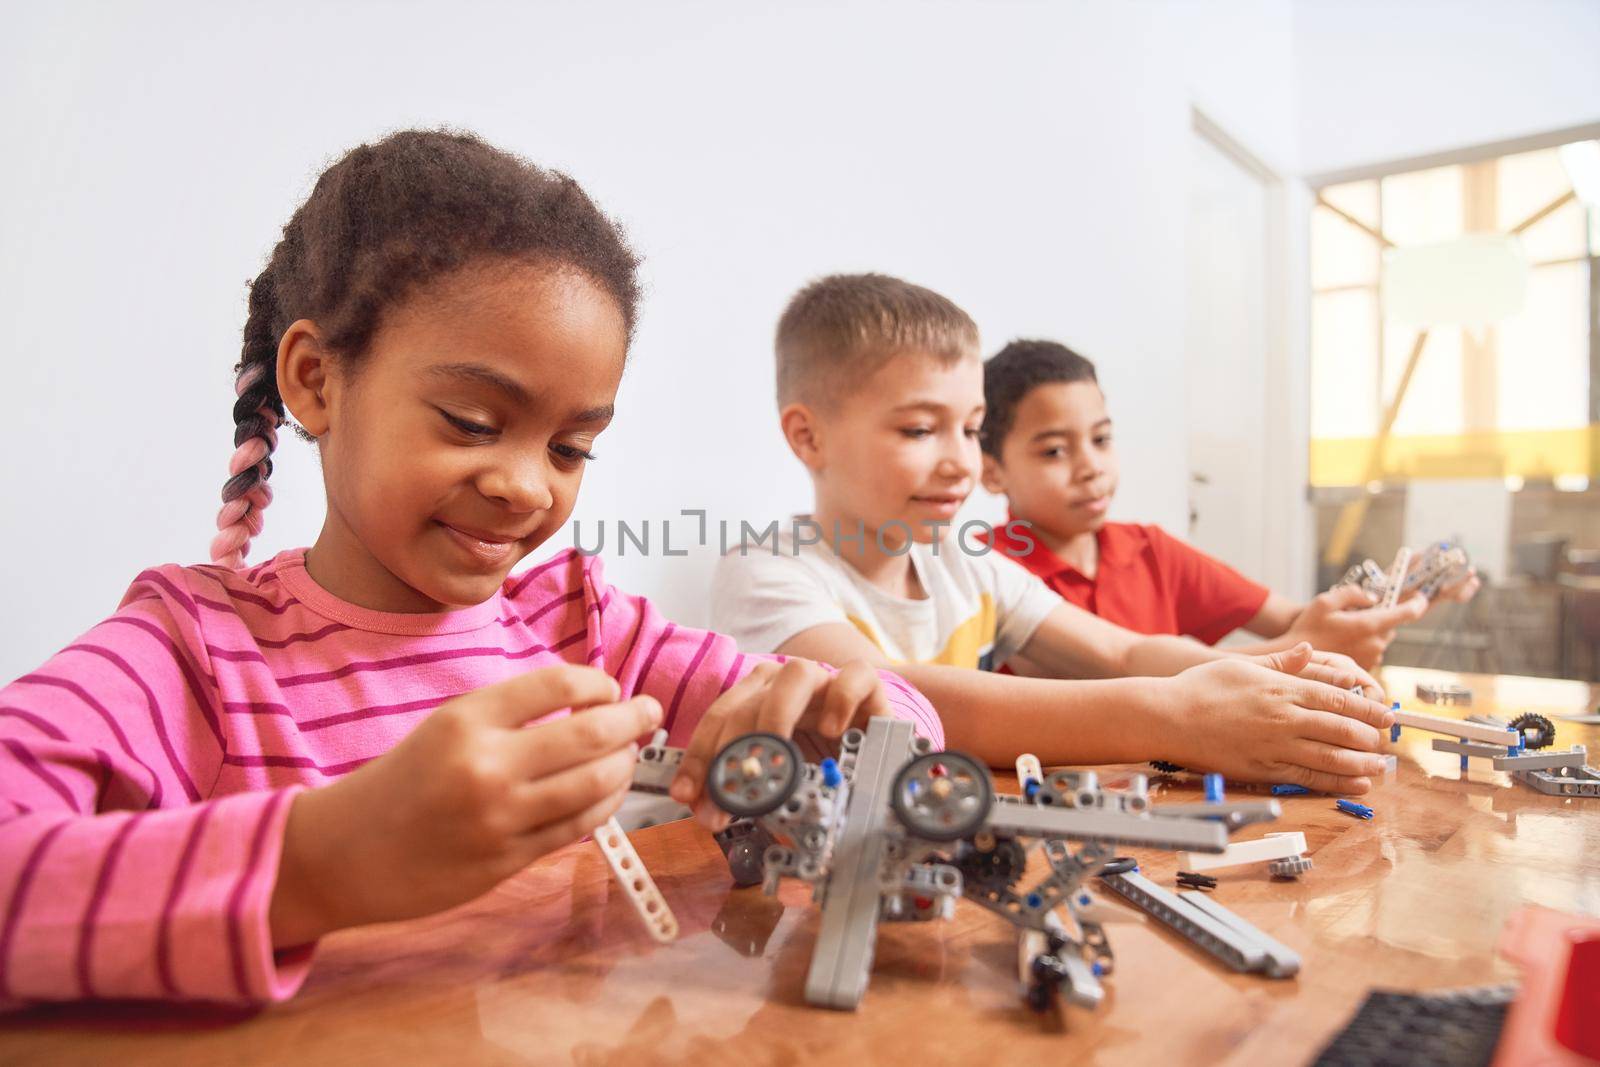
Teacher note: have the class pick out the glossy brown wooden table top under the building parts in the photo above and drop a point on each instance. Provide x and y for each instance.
(553, 967)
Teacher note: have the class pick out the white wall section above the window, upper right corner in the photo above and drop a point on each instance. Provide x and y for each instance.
(1385, 81)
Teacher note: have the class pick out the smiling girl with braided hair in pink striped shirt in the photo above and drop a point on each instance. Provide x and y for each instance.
(378, 727)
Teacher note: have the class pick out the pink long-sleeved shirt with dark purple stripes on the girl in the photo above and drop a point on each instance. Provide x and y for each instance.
(146, 770)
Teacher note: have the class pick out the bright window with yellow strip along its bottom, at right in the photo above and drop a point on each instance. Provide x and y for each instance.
(1506, 398)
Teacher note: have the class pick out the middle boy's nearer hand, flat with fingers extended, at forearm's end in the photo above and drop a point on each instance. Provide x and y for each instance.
(1260, 725)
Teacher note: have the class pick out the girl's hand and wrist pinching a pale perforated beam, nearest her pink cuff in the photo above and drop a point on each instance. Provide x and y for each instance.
(470, 797)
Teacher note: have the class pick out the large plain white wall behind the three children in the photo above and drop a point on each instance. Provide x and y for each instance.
(1028, 159)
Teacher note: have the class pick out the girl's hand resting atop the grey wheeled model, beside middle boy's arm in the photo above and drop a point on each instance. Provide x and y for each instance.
(778, 700)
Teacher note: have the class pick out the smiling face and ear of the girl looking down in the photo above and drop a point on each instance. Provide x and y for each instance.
(458, 444)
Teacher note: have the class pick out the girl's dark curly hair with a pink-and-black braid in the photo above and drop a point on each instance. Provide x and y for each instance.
(382, 222)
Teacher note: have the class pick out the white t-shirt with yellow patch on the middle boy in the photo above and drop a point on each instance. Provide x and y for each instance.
(980, 610)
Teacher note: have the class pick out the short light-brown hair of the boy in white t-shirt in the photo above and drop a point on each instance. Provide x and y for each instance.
(839, 330)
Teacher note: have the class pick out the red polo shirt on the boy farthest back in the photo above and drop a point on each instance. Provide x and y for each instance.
(1148, 581)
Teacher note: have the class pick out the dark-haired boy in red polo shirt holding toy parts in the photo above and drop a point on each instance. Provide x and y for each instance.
(1049, 449)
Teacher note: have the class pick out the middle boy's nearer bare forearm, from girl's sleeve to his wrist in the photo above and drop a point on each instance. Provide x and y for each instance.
(999, 717)
